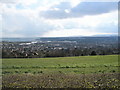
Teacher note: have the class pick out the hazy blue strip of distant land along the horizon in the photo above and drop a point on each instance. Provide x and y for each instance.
(50, 39)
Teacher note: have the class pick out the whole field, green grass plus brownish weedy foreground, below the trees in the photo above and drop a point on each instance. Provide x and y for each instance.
(62, 72)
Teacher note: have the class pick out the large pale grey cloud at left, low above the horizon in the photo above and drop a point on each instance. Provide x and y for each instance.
(22, 25)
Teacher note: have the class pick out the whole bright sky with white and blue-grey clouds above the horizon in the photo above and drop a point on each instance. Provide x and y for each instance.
(58, 18)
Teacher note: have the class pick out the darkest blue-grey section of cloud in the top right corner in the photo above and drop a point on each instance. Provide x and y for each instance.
(92, 8)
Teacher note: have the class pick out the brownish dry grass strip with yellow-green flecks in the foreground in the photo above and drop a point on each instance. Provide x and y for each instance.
(109, 80)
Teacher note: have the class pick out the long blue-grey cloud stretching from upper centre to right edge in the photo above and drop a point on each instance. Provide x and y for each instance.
(82, 9)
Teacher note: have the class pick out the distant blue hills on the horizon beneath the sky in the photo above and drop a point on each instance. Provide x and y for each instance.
(72, 38)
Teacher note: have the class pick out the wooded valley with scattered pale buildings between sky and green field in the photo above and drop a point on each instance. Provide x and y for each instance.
(60, 47)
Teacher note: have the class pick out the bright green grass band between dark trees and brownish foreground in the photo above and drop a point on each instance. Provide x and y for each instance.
(73, 65)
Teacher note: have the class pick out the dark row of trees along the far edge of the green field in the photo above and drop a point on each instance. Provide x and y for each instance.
(59, 53)
